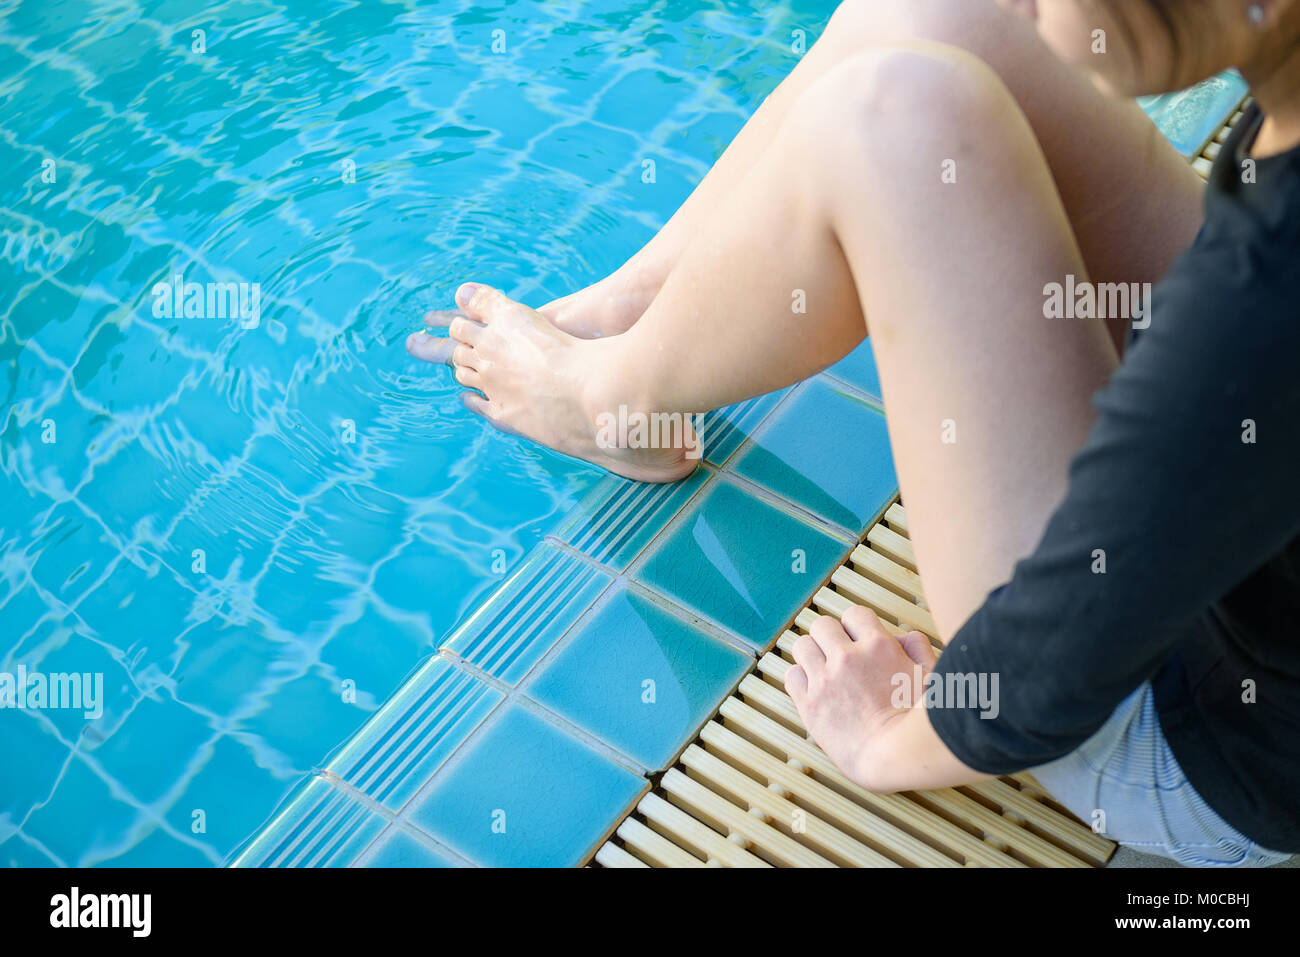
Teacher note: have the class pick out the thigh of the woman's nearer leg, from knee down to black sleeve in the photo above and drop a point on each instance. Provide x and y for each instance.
(987, 401)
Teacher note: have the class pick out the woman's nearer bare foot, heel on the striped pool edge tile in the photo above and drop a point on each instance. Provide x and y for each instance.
(535, 380)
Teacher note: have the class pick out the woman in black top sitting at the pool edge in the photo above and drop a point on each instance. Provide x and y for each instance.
(1116, 534)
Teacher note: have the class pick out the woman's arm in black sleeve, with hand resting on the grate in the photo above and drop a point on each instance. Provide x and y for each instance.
(1185, 486)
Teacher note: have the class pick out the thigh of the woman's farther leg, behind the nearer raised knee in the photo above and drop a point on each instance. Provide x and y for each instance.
(1133, 202)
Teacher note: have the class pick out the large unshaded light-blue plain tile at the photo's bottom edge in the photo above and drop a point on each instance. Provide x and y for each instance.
(526, 795)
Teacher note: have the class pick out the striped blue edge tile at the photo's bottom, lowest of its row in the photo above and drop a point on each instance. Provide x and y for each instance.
(319, 828)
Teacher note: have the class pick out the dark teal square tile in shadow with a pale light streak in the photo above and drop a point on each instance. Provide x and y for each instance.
(742, 562)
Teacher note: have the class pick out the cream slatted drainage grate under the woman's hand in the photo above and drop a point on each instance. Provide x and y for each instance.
(753, 791)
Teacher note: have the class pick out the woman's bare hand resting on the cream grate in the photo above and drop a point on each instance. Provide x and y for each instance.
(852, 682)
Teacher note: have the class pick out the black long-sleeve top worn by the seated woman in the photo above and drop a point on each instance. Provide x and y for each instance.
(1189, 492)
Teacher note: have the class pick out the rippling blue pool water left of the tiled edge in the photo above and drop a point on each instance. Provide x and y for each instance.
(254, 534)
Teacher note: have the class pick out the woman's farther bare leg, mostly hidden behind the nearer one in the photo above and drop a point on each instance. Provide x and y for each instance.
(1091, 144)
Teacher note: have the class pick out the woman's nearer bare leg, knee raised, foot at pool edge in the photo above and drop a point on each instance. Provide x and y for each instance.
(951, 275)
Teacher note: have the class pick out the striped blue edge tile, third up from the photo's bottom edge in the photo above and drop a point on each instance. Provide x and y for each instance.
(525, 620)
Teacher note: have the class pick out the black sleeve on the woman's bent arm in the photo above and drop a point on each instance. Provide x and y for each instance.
(1188, 483)
